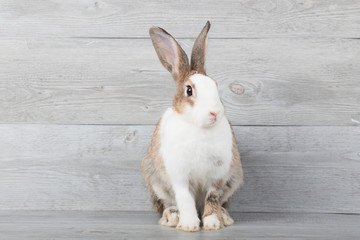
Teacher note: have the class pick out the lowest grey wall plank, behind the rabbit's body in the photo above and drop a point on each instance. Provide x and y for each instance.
(85, 167)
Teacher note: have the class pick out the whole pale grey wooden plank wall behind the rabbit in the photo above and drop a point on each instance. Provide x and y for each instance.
(81, 89)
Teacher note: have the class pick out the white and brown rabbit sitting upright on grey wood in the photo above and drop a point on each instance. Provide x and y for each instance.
(193, 164)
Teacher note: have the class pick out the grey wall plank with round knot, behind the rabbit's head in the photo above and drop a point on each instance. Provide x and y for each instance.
(100, 81)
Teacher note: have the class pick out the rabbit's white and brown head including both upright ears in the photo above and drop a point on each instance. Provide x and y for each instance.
(197, 99)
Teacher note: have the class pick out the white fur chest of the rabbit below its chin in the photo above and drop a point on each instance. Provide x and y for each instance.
(193, 153)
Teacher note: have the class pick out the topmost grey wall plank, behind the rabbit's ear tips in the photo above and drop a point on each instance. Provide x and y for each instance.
(231, 19)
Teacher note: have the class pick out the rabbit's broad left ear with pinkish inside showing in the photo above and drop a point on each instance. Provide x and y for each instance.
(171, 55)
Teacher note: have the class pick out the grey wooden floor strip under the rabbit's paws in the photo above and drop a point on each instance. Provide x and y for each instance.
(143, 225)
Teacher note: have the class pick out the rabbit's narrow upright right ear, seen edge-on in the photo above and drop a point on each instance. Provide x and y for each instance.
(199, 51)
